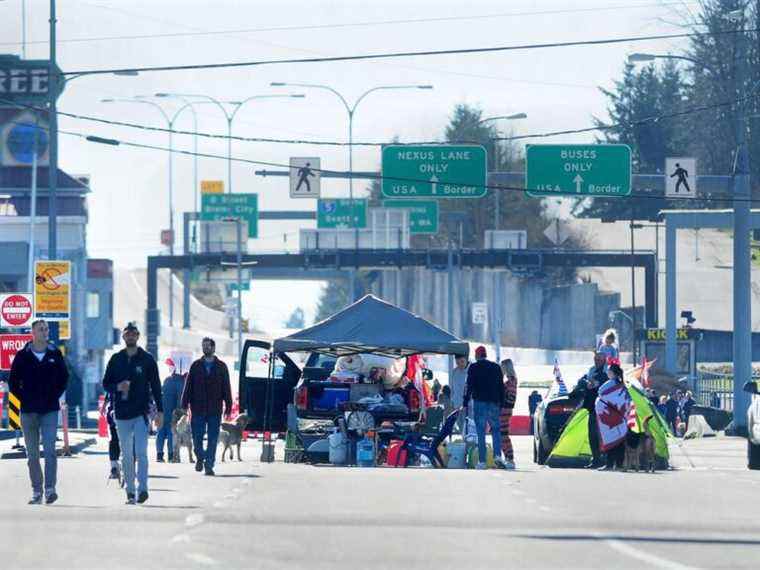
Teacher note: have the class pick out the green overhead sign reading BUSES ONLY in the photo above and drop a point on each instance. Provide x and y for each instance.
(578, 169)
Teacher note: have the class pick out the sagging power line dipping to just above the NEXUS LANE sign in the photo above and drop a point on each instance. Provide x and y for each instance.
(548, 134)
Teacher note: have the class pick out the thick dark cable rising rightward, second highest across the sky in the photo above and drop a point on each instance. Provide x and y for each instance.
(405, 54)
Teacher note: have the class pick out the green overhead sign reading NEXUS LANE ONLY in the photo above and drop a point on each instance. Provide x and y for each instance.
(438, 171)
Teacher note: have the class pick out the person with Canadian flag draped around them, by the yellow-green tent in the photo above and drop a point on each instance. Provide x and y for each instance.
(613, 407)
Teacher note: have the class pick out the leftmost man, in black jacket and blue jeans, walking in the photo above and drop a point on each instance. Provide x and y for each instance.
(38, 378)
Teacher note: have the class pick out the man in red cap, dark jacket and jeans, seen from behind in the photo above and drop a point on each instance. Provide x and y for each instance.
(485, 385)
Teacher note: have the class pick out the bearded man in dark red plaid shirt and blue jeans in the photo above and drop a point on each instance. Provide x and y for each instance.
(207, 388)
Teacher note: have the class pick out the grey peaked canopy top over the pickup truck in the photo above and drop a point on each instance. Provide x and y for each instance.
(376, 326)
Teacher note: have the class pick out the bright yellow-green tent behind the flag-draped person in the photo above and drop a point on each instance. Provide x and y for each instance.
(572, 448)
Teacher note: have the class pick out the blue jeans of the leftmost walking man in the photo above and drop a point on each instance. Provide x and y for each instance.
(46, 425)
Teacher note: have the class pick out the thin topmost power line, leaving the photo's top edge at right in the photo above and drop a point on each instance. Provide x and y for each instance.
(345, 25)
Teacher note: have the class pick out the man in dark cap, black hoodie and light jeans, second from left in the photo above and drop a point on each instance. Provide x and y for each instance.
(132, 380)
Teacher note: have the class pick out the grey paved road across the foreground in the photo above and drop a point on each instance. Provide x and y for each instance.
(704, 514)
